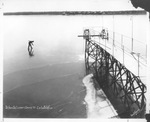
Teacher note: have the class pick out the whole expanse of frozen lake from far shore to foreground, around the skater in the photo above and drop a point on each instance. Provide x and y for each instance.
(49, 84)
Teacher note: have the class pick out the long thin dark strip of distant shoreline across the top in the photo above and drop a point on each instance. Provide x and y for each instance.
(125, 12)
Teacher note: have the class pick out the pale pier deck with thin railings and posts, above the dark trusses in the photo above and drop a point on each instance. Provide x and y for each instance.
(128, 48)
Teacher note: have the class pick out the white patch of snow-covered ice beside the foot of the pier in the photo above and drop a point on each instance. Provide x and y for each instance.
(98, 106)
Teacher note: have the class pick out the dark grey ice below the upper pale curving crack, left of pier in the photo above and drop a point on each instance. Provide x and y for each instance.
(58, 96)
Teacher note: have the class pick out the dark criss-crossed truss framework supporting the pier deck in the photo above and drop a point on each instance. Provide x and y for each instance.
(110, 73)
